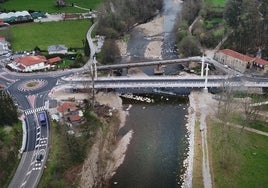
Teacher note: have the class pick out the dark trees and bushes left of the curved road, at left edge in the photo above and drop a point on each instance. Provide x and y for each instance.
(10, 138)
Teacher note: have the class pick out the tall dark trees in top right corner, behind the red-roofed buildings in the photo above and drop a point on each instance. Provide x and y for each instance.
(248, 24)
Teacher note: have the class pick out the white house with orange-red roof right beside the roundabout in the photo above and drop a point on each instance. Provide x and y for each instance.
(29, 63)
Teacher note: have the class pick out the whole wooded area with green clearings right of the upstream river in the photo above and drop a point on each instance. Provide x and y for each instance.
(244, 23)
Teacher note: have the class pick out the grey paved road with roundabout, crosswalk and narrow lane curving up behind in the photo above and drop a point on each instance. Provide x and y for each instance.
(32, 100)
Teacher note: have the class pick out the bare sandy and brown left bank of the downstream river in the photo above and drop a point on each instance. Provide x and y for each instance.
(108, 151)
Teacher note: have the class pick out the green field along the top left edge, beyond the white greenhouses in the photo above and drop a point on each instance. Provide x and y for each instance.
(49, 5)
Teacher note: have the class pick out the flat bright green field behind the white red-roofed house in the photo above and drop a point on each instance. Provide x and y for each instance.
(28, 36)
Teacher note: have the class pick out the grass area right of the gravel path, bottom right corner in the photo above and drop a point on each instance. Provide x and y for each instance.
(246, 156)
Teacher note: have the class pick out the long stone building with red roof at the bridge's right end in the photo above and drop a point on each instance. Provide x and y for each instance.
(233, 59)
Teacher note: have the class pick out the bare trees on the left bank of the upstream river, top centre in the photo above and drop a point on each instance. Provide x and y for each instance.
(118, 16)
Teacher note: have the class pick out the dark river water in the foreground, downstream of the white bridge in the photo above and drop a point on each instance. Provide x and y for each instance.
(156, 152)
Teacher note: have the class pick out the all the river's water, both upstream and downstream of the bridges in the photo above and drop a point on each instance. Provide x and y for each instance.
(155, 155)
